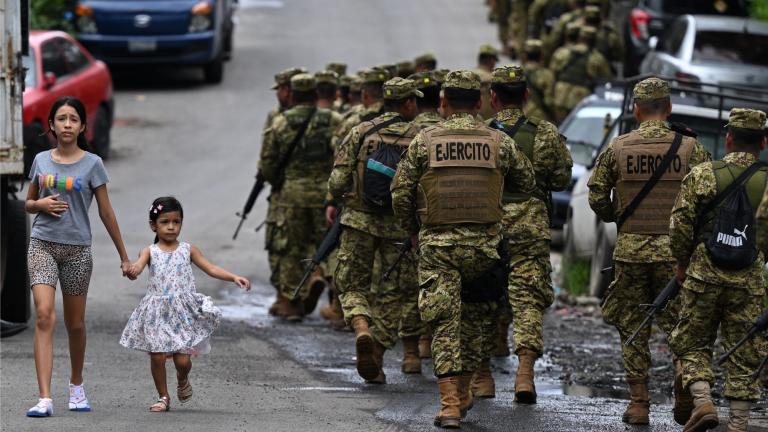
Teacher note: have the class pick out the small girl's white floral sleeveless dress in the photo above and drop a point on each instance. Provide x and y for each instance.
(172, 317)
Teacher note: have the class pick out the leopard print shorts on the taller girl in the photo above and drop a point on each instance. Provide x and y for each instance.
(71, 264)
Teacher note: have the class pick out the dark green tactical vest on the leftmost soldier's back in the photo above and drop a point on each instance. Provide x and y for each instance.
(313, 152)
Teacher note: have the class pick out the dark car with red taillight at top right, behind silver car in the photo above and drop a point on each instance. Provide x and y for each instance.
(652, 17)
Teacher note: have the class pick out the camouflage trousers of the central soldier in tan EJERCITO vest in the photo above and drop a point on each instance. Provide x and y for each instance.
(454, 341)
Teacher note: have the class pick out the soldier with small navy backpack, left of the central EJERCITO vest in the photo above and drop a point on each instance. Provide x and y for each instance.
(371, 230)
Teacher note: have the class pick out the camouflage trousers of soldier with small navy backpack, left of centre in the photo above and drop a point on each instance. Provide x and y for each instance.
(353, 278)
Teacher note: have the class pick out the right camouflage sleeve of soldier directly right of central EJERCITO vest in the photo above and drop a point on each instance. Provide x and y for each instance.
(551, 158)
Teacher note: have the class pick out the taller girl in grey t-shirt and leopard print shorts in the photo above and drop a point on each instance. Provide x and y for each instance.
(63, 183)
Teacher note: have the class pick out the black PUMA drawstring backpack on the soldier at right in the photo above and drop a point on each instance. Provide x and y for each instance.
(732, 242)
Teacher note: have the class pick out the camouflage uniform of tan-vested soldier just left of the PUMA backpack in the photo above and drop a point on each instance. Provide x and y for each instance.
(643, 263)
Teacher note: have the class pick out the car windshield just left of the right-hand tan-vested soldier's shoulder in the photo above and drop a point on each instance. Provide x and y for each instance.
(585, 130)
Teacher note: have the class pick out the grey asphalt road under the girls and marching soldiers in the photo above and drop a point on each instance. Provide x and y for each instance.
(174, 135)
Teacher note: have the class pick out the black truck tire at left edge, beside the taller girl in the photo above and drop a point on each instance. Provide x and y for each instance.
(15, 295)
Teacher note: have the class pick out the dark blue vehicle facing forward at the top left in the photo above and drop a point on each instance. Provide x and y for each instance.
(178, 32)
